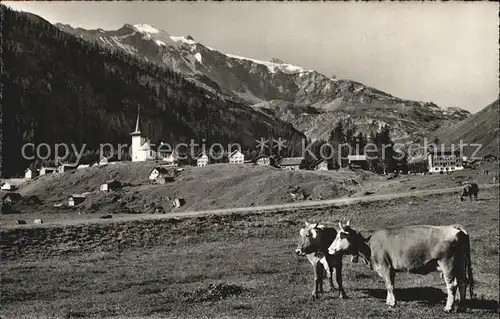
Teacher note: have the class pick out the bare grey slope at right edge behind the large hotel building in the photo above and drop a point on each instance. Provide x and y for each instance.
(480, 128)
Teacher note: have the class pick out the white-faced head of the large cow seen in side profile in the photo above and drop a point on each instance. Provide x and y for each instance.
(348, 241)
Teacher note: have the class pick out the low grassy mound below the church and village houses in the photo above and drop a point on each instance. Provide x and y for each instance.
(211, 187)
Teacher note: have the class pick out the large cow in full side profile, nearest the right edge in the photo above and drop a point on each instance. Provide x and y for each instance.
(418, 249)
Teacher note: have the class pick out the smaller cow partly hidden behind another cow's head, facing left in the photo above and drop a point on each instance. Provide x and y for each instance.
(314, 242)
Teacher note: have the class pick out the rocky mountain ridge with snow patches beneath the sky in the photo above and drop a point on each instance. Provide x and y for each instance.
(309, 100)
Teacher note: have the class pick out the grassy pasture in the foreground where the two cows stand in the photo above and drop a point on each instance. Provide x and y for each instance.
(238, 266)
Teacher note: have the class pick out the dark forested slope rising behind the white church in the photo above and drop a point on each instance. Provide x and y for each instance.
(60, 89)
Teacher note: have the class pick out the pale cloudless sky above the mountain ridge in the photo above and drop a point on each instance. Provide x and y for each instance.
(444, 52)
